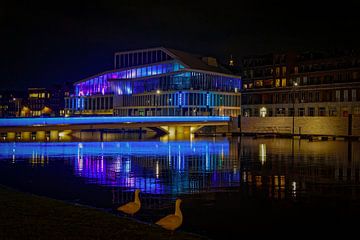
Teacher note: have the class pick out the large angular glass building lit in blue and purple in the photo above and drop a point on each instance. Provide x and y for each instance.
(158, 82)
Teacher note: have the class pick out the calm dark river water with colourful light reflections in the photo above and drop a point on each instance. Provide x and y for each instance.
(230, 187)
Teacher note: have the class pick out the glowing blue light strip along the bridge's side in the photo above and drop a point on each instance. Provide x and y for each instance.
(22, 122)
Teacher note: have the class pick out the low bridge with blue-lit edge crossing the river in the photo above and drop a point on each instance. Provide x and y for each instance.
(9, 127)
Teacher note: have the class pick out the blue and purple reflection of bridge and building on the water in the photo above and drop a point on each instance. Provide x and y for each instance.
(154, 167)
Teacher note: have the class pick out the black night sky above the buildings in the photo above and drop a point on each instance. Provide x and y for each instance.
(67, 41)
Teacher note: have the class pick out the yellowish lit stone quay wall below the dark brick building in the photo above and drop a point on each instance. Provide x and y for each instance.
(337, 126)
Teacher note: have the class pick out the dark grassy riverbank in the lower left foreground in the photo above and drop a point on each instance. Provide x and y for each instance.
(26, 216)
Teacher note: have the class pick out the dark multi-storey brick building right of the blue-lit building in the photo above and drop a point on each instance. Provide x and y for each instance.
(301, 84)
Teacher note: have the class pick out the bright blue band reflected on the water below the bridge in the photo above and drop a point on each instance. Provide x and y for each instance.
(145, 148)
